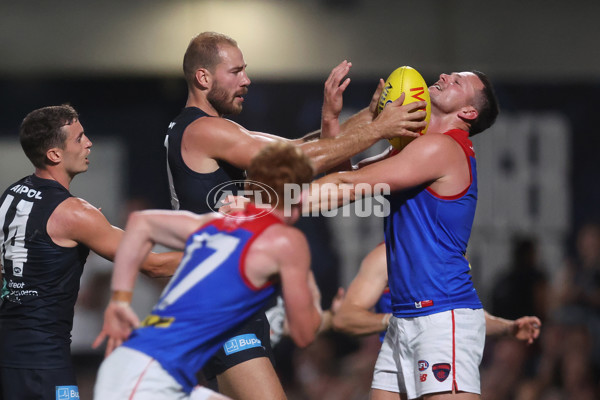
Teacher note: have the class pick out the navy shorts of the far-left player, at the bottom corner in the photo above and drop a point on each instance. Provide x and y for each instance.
(38, 384)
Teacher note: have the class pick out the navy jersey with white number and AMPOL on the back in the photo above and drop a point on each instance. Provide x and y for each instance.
(40, 278)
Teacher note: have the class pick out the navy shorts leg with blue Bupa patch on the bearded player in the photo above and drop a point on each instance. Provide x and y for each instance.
(252, 340)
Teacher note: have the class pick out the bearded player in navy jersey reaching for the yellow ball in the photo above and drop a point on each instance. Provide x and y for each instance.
(207, 154)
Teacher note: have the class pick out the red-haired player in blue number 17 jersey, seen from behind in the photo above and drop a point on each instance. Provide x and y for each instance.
(231, 267)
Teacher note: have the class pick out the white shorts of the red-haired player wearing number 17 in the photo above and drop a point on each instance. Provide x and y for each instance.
(129, 375)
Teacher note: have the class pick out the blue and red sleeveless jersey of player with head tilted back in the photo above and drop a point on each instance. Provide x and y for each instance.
(426, 237)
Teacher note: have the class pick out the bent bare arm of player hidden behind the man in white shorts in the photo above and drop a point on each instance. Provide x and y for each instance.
(355, 316)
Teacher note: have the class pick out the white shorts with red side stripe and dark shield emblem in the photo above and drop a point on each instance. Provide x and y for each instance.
(432, 354)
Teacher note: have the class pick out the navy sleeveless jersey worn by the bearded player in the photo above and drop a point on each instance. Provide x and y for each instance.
(191, 190)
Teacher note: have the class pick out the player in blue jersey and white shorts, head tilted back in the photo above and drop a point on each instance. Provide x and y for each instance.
(433, 185)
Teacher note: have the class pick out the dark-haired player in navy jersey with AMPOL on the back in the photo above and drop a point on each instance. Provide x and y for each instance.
(45, 237)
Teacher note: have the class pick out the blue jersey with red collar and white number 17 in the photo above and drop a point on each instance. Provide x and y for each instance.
(208, 298)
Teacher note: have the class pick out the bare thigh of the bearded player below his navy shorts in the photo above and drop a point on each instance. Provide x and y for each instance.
(252, 379)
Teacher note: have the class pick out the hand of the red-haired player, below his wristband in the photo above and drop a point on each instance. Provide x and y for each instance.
(119, 321)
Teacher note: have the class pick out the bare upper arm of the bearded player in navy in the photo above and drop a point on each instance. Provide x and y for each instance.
(221, 139)
